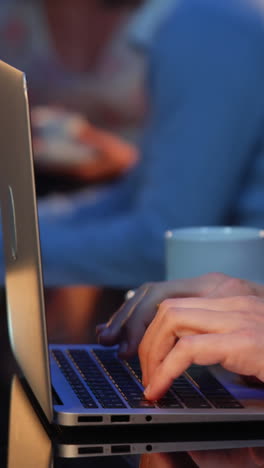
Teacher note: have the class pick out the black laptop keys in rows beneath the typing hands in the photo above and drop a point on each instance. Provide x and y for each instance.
(197, 389)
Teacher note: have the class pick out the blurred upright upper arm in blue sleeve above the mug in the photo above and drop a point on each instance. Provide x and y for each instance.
(207, 110)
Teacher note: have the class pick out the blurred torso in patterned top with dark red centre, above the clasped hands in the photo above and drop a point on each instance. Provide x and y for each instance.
(73, 54)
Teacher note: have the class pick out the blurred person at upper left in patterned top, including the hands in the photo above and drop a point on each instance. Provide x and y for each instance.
(77, 65)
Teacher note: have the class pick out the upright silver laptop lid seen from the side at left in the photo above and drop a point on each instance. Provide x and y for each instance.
(24, 284)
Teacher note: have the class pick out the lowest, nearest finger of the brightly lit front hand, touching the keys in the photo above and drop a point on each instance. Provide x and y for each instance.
(198, 349)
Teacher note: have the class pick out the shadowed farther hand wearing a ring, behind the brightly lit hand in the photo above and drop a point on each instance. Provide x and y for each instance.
(129, 323)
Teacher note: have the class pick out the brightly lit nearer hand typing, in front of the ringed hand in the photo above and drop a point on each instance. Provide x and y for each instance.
(204, 331)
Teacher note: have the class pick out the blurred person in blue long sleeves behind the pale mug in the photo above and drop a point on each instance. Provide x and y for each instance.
(201, 157)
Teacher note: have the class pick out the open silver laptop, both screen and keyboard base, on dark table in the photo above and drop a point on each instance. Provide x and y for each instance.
(84, 385)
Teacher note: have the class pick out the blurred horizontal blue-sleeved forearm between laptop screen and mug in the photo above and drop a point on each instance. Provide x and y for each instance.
(122, 253)
